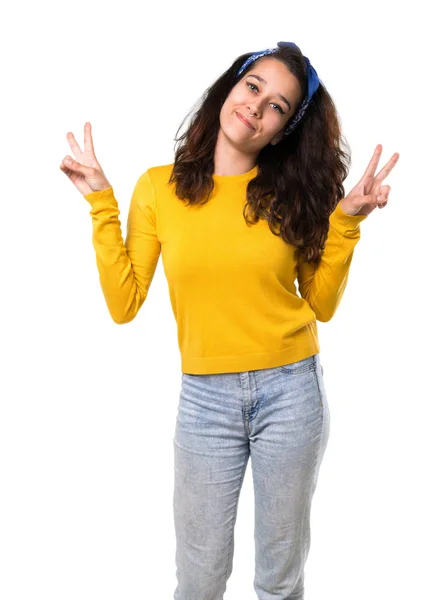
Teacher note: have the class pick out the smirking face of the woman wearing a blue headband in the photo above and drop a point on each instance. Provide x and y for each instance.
(267, 95)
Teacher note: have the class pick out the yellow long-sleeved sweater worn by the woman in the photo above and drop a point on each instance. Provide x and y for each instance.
(232, 286)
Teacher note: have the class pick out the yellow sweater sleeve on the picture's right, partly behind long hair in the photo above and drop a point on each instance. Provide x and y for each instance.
(323, 286)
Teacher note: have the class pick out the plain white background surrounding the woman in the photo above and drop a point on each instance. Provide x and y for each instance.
(88, 407)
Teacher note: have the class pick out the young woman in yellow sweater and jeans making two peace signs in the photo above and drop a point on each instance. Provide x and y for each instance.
(253, 201)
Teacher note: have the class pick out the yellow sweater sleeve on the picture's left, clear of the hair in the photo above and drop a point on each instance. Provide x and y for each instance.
(126, 269)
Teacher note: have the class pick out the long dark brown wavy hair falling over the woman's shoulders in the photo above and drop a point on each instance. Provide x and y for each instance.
(299, 180)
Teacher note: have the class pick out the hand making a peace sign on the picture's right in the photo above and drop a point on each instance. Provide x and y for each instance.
(369, 192)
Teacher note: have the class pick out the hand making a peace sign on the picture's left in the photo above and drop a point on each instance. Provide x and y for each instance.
(85, 172)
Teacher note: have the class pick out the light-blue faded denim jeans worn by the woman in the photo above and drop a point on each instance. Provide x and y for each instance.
(280, 418)
